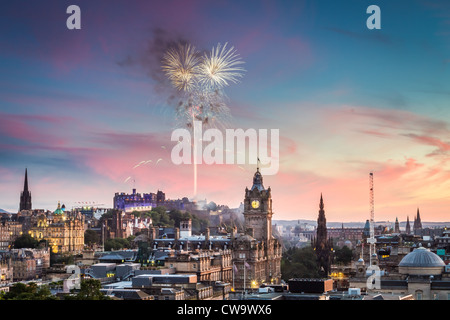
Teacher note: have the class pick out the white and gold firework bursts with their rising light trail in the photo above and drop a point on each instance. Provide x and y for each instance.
(201, 79)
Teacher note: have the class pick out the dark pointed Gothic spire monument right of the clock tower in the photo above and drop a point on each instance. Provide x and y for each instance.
(322, 245)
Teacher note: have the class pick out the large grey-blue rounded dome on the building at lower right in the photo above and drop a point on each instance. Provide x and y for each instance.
(421, 261)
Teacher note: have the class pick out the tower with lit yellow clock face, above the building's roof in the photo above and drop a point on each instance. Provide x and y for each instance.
(258, 209)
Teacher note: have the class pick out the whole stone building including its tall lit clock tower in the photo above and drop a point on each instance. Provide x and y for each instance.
(256, 252)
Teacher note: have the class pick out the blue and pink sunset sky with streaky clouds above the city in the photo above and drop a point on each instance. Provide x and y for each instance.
(81, 108)
